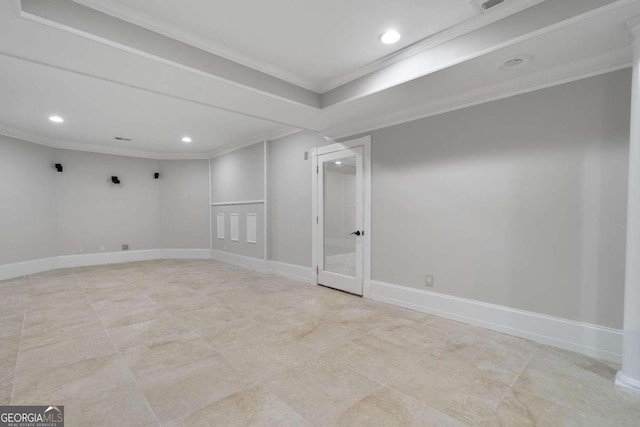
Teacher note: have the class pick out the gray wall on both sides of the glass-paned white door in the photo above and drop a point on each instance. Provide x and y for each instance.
(519, 202)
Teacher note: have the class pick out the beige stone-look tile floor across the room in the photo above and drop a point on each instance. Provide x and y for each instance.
(206, 344)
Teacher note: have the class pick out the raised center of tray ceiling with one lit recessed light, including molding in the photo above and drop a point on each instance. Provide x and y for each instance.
(316, 42)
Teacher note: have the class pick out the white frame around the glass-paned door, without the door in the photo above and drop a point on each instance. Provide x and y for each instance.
(364, 142)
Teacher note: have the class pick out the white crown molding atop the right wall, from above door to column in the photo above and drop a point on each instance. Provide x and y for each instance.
(567, 73)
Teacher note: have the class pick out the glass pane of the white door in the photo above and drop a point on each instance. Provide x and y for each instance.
(340, 216)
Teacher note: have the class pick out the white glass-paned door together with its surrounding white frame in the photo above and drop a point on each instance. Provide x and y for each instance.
(341, 217)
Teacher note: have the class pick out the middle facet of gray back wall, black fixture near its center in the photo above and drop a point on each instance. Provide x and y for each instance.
(94, 213)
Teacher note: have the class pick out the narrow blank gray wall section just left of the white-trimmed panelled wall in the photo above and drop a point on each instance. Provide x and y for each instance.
(184, 204)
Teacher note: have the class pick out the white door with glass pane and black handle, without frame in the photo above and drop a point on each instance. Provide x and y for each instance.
(340, 220)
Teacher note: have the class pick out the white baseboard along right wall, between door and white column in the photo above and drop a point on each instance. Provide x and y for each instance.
(588, 339)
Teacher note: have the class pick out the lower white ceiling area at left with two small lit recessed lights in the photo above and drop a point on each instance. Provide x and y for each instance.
(97, 111)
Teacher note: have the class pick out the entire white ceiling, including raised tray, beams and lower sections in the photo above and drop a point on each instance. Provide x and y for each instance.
(231, 73)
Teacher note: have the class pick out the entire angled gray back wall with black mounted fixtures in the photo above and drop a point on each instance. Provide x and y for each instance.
(45, 213)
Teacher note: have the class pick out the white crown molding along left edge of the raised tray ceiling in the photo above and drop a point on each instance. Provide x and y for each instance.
(133, 17)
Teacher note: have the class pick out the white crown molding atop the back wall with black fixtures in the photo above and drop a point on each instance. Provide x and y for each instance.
(93, 148)
